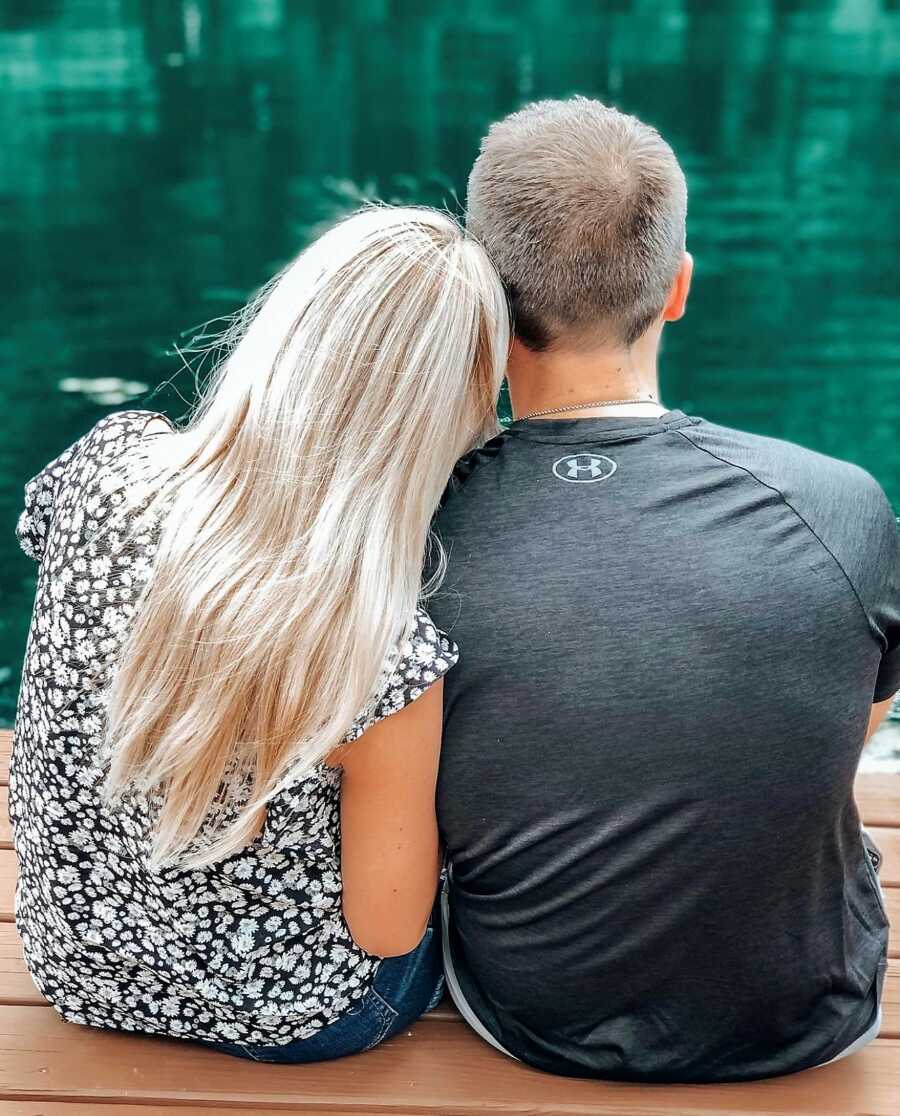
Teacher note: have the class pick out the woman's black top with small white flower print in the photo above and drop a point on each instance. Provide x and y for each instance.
(254, 949)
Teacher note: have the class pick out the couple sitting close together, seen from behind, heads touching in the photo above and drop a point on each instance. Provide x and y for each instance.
(612, 666)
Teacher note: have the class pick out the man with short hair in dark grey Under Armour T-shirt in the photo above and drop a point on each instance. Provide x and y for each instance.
(673, 637)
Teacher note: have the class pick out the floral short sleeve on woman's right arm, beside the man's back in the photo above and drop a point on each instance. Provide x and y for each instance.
(426, 657)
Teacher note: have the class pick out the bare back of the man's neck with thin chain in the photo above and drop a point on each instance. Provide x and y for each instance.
(564, 379)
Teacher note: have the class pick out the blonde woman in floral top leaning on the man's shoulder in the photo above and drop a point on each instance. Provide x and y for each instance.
(226, 747)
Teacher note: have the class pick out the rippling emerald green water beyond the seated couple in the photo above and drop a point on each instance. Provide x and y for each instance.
(161, 158)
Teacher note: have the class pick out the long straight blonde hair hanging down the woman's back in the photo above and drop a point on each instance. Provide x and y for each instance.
(299, 504)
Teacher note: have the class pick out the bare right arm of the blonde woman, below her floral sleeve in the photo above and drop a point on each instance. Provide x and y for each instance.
(390, 859)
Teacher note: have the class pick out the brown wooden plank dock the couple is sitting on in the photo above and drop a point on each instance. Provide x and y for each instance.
(50, 1069)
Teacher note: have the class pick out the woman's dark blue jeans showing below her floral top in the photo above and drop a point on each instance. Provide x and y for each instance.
(405, 988)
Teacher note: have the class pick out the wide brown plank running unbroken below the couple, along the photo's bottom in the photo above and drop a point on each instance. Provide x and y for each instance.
(441, 1069)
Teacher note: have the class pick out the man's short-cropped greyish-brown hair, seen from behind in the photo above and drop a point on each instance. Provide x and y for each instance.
(582, 209)
